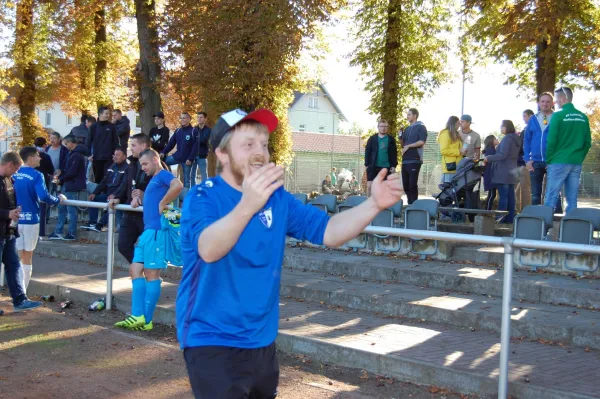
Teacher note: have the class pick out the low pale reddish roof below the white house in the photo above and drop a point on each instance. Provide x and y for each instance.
(320, 142)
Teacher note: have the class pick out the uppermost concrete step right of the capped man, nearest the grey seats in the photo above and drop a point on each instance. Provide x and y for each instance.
(471, 277)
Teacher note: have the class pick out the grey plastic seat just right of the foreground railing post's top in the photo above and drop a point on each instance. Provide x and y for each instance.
(533, 223)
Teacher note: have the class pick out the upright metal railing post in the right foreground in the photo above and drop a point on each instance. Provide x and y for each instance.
(506, 311)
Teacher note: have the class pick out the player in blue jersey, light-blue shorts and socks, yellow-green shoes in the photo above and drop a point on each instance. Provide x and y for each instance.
(149, 254)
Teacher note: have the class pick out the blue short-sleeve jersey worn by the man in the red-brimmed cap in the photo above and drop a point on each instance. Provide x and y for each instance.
(235, 300)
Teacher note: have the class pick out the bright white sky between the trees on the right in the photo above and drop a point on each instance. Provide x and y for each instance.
(487, 99)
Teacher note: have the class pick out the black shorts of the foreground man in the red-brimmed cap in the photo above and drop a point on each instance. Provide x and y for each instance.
(221, 372)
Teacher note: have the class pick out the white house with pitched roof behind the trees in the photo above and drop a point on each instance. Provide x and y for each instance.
(315, 112)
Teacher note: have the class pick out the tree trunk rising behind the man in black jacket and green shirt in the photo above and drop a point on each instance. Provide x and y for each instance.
(389, 102)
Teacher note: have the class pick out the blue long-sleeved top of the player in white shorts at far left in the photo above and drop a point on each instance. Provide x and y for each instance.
(30, 187)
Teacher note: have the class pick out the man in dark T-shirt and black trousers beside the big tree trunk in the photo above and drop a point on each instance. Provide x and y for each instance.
(413, 139)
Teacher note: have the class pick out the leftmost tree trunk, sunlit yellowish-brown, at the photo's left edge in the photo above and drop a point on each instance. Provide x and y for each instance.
(26, 96)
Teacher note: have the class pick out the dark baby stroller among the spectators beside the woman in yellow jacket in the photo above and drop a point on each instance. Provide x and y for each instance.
(463, 190)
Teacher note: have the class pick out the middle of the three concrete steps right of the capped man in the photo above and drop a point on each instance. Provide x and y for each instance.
(533, 321)
